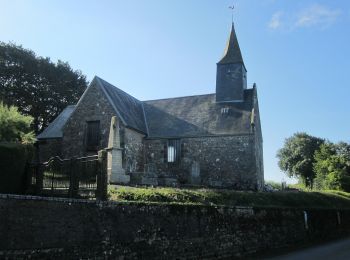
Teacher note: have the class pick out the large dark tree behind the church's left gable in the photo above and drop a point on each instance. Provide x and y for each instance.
(37, 86)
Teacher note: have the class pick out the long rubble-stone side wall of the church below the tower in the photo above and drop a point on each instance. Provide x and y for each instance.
(223, 161)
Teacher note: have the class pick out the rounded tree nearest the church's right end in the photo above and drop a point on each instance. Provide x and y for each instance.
(296, 158)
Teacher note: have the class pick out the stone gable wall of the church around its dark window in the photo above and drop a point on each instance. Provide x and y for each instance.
(93, 106)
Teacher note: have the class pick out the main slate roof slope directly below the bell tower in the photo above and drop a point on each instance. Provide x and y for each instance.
(197, 115)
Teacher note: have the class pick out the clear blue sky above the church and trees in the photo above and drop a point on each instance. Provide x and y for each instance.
(296, 51)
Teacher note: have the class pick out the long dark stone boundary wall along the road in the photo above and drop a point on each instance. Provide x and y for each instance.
(52, 228)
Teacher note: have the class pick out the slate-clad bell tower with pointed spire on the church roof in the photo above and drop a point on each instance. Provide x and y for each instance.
(231, 74)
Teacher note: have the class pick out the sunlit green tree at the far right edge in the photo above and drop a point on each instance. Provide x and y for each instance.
(332, 166)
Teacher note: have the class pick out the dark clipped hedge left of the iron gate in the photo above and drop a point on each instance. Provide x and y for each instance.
(13, 159)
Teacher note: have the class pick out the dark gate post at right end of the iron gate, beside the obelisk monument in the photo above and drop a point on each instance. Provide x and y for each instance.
(101, 191)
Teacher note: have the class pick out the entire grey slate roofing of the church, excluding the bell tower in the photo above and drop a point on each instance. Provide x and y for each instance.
(170, 118)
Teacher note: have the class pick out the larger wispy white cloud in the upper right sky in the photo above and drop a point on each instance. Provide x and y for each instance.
(317, 15)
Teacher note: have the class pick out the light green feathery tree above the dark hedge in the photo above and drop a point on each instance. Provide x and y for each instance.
(15, 127)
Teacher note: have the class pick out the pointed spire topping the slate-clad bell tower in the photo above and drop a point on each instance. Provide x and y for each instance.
(232, 52)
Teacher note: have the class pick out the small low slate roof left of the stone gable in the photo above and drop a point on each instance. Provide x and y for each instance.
(54, 129)
